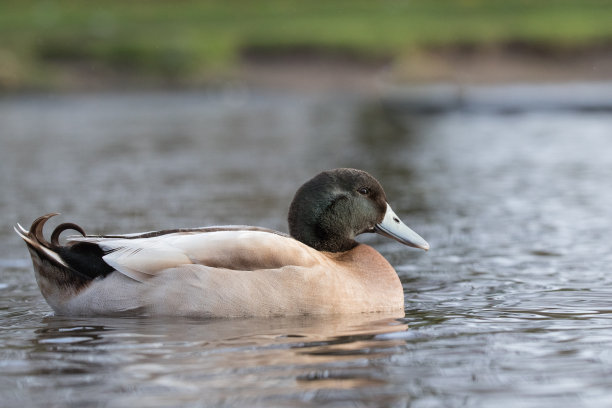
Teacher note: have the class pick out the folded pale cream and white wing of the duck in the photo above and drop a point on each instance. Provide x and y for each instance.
(141, 256)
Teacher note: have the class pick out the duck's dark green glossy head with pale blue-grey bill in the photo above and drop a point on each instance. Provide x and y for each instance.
(335, 206)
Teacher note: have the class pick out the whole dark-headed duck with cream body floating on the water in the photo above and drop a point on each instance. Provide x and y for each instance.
(234, 271)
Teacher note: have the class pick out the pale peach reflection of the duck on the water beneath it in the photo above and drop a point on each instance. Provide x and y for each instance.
(304, 344)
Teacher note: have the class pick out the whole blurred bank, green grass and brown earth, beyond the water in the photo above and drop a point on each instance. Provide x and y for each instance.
(66, 44)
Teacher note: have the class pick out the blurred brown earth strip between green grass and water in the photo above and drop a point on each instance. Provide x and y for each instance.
(325, 70)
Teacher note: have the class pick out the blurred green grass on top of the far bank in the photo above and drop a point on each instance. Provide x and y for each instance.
(184, 39)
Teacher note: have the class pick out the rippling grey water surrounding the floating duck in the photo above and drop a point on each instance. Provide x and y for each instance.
(510, 308)
